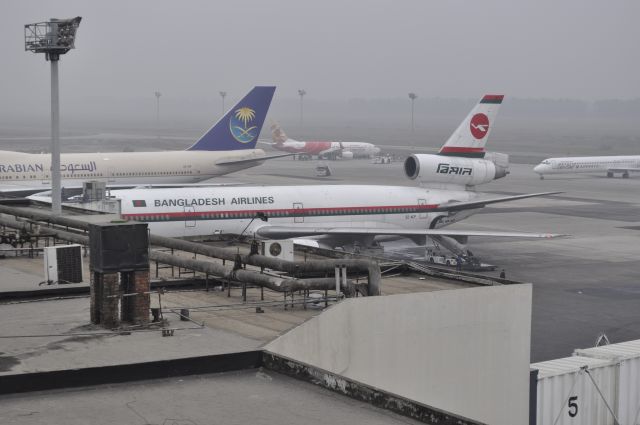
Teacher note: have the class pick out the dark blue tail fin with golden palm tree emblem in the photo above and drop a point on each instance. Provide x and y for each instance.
(240, 127)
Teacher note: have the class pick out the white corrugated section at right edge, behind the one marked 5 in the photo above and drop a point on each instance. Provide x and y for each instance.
(626, 356)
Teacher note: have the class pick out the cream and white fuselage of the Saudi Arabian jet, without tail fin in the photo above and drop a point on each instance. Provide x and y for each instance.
(33, 170)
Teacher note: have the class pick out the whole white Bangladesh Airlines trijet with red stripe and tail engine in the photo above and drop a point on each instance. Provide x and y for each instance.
(337, 214)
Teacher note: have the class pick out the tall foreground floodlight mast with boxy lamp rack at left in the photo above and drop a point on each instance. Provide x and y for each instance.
(53, 38)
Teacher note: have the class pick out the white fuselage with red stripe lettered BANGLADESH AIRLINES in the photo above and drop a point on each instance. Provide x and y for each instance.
(205, 211)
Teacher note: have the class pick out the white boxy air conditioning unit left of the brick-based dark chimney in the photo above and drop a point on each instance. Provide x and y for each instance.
(63, 264)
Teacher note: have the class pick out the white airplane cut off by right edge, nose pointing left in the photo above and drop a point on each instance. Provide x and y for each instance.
(590, 164)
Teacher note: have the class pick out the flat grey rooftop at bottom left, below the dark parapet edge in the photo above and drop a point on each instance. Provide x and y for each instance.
(246, 397)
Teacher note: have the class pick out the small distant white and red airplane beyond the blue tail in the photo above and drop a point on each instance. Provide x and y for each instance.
(327, 149)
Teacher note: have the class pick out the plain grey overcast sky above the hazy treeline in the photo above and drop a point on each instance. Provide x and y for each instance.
(580, 49)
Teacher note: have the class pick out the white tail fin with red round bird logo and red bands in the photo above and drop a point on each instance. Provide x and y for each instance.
(471, 136)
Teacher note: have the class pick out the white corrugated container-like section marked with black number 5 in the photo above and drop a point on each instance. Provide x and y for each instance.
(567, 396)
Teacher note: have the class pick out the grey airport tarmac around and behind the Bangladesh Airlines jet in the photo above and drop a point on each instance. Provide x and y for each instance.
(584, 285)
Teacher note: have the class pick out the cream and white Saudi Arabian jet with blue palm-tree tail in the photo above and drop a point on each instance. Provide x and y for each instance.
(226, 147)
